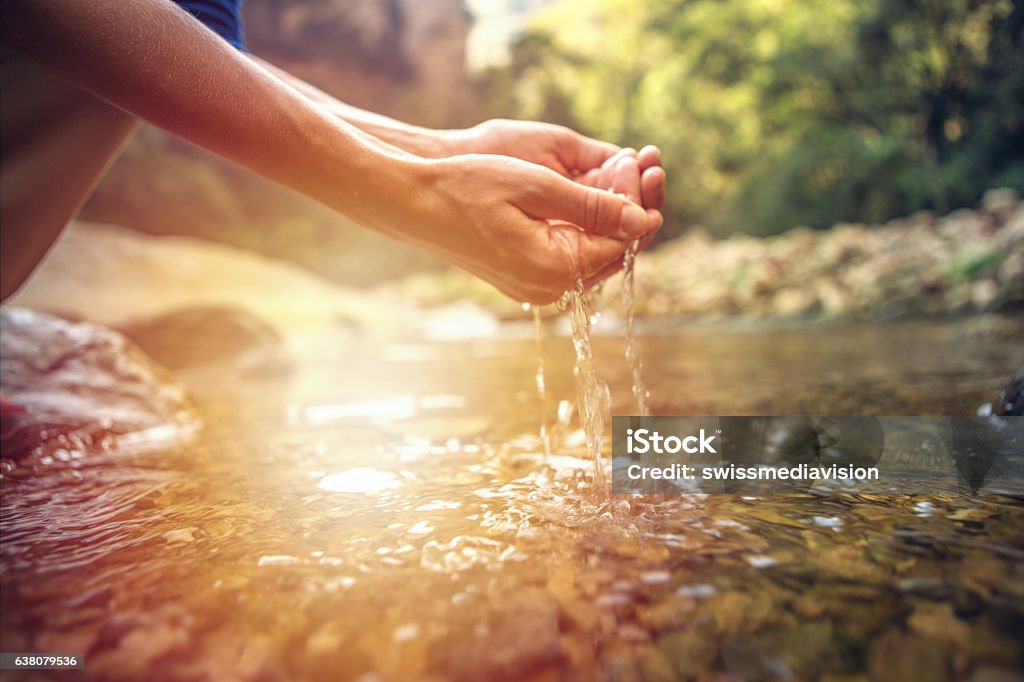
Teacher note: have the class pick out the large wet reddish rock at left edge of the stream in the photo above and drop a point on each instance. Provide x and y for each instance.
(71, 387)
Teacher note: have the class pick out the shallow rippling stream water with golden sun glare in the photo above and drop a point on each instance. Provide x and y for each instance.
(396, 519)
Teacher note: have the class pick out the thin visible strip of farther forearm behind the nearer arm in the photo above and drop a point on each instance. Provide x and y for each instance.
(422, 142)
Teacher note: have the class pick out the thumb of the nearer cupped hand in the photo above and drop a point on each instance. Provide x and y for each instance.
(595, 211)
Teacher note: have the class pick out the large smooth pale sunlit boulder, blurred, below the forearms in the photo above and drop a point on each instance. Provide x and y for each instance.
(117, 277)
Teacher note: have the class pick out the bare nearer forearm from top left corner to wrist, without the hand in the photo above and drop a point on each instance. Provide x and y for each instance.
(153, 60)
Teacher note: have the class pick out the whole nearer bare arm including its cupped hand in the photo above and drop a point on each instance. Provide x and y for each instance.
(494, 217)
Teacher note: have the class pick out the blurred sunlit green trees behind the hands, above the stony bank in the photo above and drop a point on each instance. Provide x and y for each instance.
(779, 113)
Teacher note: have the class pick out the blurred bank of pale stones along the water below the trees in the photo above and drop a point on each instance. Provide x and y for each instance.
(967, 262)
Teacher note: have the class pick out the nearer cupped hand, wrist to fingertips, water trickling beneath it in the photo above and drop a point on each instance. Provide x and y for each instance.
(525, 229)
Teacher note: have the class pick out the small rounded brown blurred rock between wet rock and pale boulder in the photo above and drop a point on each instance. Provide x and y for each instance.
(212, 335)
